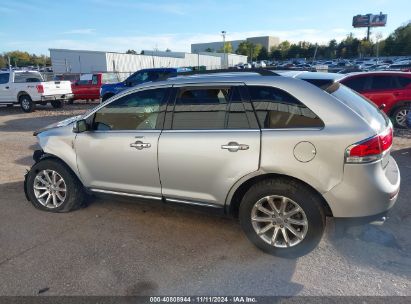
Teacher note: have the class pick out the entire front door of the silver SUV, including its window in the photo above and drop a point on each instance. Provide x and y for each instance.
(120, 153)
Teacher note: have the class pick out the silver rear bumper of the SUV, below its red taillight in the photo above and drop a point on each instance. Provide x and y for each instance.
(366, 190)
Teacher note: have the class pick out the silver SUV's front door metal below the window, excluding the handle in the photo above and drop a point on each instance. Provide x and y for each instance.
(107, 161)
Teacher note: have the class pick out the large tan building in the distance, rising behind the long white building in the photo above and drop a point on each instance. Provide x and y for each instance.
(266, 41)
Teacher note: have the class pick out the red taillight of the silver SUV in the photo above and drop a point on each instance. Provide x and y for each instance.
(370, 149)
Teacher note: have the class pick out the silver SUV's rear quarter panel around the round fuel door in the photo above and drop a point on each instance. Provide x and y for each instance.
(342, 128)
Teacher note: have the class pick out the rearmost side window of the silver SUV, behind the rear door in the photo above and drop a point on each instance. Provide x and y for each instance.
(276, 109)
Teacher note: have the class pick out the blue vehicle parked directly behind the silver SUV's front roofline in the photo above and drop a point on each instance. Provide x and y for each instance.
(141, 76)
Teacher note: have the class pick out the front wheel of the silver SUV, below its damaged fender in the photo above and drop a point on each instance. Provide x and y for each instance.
(65, 201)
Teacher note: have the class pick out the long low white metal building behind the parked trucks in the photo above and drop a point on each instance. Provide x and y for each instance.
(81, 61)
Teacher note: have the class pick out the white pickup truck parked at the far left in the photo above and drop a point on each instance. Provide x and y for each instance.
(28, 88)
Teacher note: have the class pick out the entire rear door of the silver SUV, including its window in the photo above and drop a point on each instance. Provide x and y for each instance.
(211, 141)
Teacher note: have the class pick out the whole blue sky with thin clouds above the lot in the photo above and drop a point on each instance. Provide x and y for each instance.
(118, 25)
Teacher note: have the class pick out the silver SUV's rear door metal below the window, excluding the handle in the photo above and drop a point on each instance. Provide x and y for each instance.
(194, 166)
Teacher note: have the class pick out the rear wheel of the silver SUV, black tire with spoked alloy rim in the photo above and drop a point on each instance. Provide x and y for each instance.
(293, 194)
